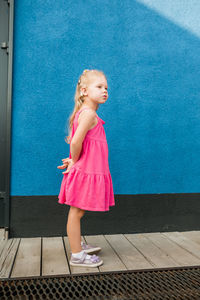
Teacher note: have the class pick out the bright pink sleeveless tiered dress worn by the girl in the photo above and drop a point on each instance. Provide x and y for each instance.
(88, 185)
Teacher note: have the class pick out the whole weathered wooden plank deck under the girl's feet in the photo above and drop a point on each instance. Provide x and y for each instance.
(25, 257)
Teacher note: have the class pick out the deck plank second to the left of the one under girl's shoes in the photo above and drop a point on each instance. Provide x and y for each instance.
(27, 262)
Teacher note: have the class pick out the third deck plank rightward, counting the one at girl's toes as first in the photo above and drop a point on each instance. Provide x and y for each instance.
(151, 252)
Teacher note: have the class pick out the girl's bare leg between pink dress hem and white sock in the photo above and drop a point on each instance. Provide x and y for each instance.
(74, 228)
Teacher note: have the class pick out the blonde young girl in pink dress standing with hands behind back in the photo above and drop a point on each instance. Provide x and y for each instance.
(87, 182)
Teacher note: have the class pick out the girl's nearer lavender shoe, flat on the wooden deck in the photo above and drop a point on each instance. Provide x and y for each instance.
(86, 261)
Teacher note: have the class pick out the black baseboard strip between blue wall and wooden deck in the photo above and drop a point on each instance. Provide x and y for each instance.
(43, 216)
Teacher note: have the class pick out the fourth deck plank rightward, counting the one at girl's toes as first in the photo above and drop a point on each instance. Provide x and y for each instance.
(181, 256)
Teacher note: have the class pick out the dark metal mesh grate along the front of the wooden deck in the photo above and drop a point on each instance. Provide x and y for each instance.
(157, 284)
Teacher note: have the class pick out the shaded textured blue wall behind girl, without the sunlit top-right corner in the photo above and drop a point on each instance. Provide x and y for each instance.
(152, 115)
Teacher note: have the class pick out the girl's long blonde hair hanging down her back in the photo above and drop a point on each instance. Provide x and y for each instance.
(78, 98)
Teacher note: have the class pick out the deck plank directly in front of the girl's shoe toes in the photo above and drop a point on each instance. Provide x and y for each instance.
(111, 261)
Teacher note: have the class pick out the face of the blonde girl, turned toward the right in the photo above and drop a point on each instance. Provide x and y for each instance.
(97, 89)
